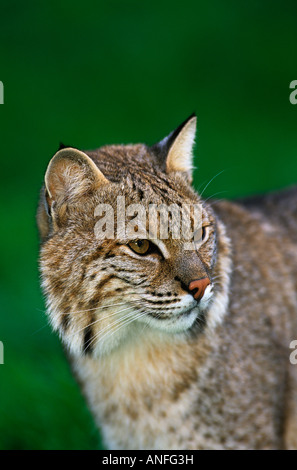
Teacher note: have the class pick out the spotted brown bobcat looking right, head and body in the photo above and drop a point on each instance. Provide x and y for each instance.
(173, 348)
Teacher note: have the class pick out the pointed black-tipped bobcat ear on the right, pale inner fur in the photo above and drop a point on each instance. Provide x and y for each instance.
(177, 148)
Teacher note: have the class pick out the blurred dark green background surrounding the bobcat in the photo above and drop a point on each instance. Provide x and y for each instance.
(93, 73)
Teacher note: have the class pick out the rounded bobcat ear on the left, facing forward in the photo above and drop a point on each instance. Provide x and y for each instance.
(71, 173)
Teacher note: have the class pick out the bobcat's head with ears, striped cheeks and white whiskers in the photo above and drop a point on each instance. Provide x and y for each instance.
(112, 263)
